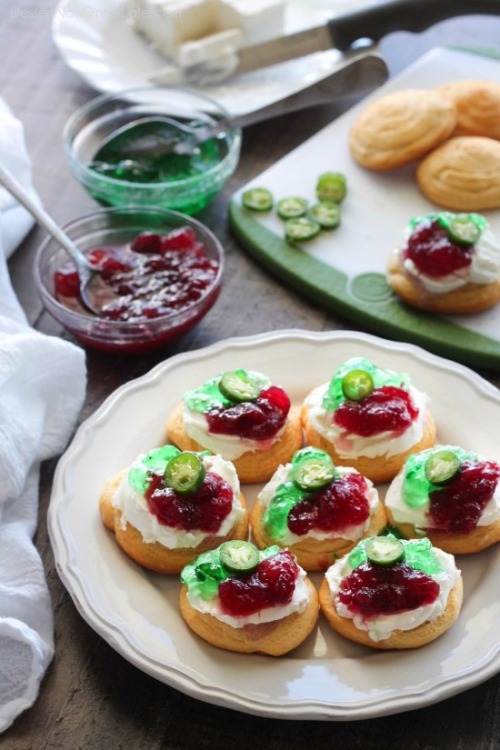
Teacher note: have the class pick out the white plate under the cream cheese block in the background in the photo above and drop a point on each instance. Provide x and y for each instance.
(97, 42)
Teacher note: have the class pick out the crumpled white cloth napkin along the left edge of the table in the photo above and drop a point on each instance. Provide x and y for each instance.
(42, 386)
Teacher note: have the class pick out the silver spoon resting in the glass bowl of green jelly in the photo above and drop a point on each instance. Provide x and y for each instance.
(356, 76)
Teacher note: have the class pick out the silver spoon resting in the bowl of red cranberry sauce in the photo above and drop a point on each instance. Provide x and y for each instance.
(86, 271)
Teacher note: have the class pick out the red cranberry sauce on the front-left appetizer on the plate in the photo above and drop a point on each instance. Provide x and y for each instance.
(272, 584)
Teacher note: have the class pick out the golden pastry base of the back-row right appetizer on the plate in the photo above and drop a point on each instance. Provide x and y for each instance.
(378, 469)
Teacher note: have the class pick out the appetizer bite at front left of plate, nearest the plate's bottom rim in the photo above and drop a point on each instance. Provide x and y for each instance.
(243, 599)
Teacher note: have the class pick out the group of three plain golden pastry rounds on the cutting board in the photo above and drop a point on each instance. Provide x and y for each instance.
(453, 132)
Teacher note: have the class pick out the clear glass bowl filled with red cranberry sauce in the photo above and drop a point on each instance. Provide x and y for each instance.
(159, 273)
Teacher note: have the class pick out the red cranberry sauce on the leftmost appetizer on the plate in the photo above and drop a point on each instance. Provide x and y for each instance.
(202, 510)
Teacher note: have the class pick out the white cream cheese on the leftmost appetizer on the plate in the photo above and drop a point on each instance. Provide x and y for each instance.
(134, 509)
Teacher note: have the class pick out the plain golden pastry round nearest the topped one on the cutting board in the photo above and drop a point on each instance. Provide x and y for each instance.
(462, 174)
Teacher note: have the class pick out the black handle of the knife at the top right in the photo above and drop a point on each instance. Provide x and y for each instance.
(376, 21)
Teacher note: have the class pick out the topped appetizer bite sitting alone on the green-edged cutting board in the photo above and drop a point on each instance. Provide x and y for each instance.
(448, 263)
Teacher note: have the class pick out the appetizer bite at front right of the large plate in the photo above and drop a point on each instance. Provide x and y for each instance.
(392, 594)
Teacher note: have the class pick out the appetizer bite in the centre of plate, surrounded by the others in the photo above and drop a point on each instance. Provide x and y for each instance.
(316, 510)
